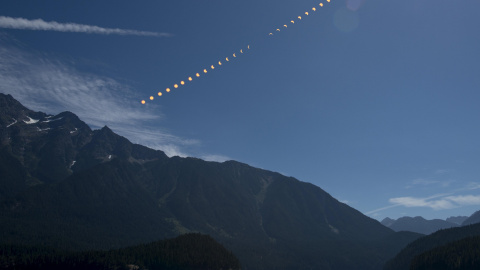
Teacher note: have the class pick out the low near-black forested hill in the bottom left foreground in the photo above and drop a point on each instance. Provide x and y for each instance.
(189, 251)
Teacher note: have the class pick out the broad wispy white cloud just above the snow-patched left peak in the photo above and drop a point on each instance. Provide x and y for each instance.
(45, 83)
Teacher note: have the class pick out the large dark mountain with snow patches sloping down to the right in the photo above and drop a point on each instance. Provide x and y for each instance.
(70, 187)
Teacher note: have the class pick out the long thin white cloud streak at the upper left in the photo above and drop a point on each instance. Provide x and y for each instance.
(41, 25)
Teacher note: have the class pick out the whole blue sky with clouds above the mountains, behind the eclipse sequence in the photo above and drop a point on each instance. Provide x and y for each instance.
(374, 101)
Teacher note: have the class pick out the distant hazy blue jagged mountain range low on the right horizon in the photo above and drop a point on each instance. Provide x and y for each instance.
(417, 224)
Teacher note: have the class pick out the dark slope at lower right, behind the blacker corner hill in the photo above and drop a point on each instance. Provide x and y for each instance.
(403, 259)
